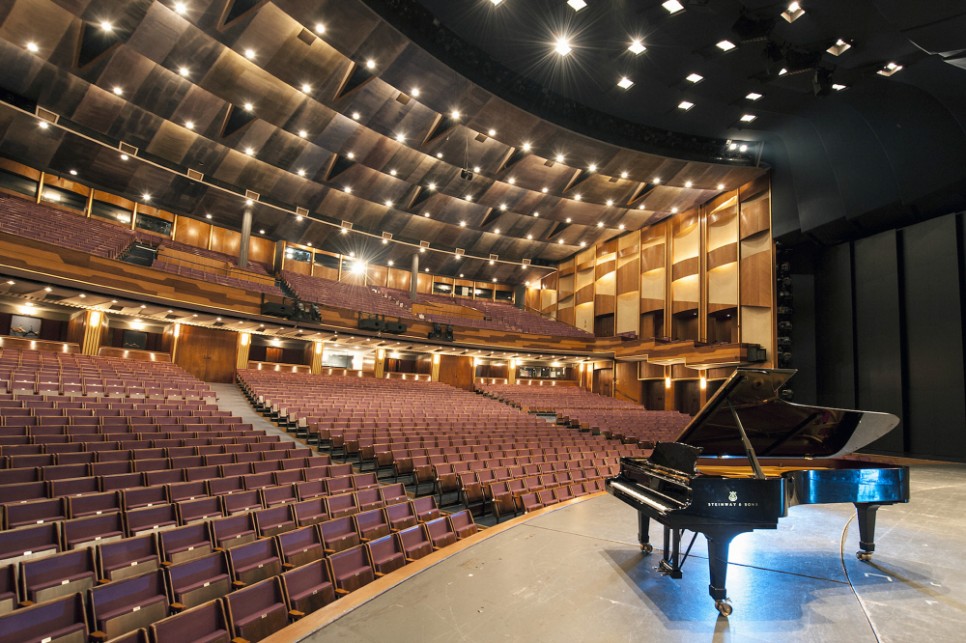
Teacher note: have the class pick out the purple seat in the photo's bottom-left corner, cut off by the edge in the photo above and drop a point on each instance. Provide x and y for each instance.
(62, 620)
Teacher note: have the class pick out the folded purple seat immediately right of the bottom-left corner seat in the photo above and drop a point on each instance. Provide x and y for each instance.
(122, 606)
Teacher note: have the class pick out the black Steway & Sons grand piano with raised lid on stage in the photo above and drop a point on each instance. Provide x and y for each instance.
(768, 455)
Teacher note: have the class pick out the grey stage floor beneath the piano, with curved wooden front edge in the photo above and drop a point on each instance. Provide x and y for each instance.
(576, 573)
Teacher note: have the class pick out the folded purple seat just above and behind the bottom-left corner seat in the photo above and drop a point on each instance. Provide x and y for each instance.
(58, 575)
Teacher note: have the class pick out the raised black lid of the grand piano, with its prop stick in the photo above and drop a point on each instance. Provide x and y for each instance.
(777, 428)
